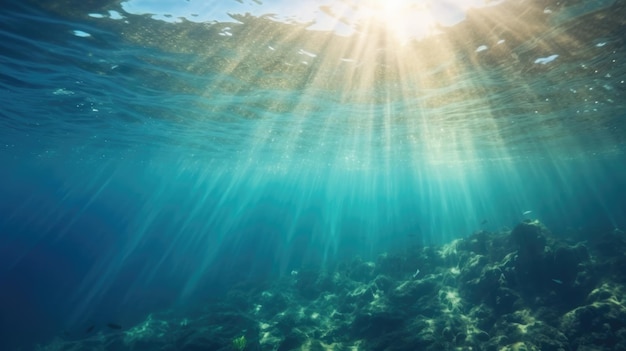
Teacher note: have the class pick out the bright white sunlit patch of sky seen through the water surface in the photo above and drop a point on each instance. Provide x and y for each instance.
(403, 19)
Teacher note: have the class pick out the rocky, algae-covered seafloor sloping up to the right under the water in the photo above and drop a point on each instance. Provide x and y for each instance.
(519, 289)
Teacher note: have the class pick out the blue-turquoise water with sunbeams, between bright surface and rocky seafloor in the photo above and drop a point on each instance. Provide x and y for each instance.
(149, 166)
